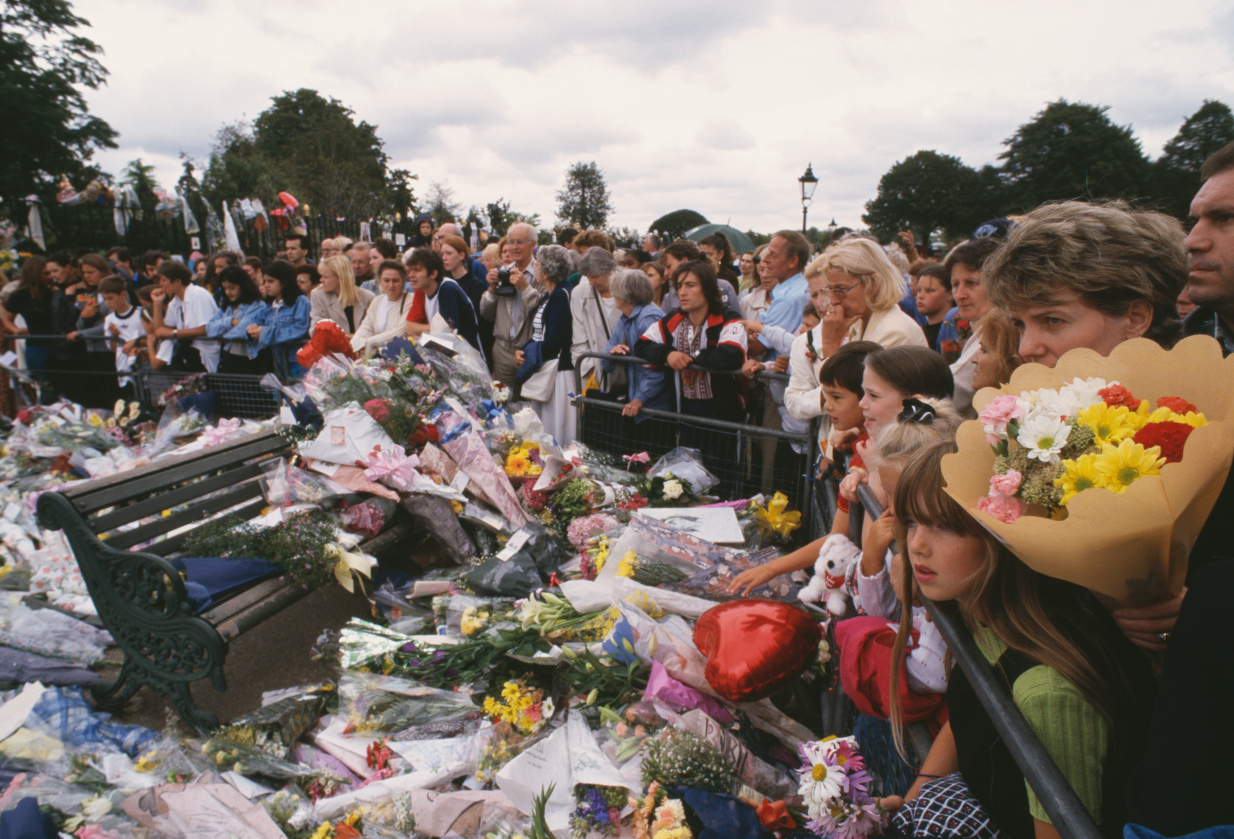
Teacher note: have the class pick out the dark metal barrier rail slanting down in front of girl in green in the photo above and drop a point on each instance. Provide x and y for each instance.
(1066, 810)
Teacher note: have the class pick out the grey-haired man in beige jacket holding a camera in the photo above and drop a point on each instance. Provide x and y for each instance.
(510, 307)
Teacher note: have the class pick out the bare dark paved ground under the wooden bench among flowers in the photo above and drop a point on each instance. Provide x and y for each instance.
(276, 655)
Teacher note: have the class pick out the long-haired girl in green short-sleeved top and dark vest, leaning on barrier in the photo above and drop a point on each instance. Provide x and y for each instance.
(1082, 685)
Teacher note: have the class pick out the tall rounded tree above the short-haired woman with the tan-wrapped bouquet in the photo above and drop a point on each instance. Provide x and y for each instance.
(1072, 151)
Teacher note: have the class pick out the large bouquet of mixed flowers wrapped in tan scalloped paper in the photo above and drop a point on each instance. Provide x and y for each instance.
(1103, 471)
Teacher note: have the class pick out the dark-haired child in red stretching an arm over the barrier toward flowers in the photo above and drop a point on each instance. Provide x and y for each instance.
(841, 379)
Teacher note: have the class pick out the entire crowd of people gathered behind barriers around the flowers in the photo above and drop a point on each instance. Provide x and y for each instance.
(884, 347)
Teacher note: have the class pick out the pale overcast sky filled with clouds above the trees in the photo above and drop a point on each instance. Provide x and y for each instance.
(713, 107)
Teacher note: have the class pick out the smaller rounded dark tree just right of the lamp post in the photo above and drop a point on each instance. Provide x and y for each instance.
(926, 193)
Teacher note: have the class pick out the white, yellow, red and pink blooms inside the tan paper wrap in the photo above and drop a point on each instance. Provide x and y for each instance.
(1052, 445)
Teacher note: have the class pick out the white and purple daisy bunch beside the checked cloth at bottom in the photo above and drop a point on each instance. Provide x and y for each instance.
(836, 790)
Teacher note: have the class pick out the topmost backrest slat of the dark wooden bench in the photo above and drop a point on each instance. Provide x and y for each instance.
(139, 483)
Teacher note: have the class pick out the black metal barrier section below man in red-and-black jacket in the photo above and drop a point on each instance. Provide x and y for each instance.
(747, 458)
